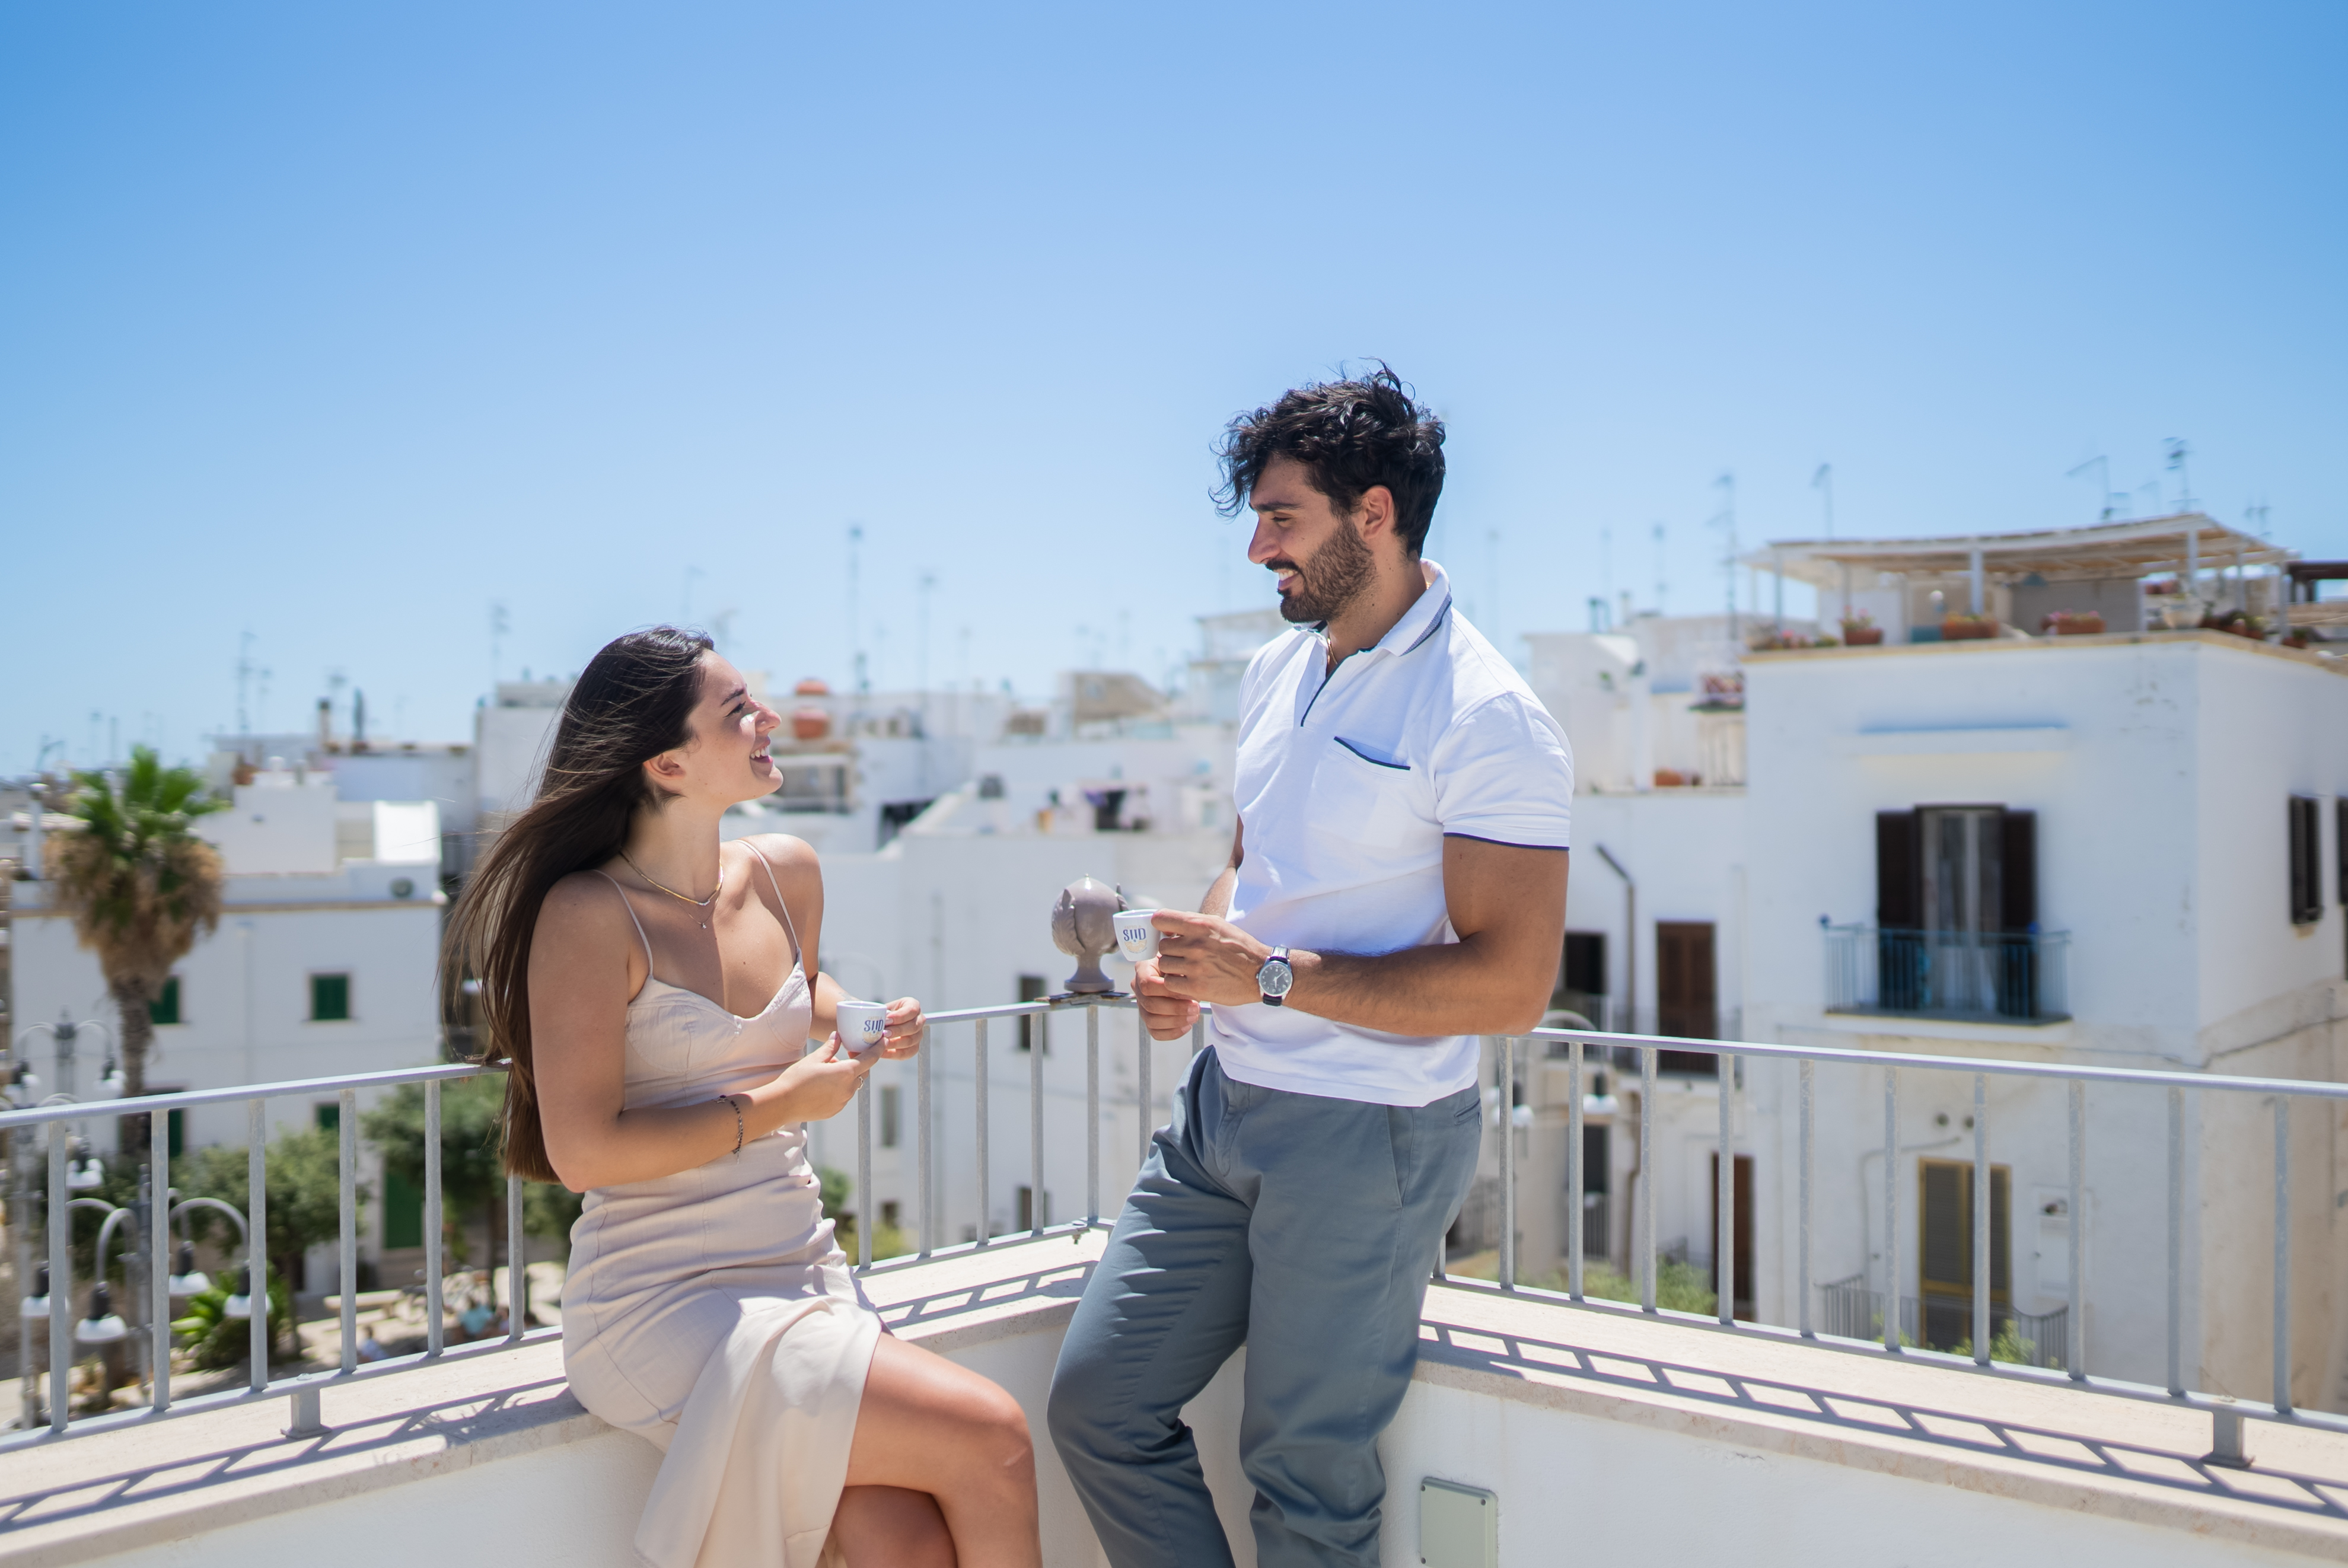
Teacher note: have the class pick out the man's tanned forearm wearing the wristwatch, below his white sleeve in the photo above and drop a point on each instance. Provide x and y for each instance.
(1450, 989)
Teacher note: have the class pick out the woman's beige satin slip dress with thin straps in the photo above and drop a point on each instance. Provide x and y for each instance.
(713, 1311)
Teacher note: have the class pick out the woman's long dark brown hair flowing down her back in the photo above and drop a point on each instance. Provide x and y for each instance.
(633, 703)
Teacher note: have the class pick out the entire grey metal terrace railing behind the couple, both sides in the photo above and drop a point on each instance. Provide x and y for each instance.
(1837, 1318)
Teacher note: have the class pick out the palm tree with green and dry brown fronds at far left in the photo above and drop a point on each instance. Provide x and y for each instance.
(140, 886)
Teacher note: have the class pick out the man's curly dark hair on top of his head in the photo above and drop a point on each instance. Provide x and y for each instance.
(1351, 435)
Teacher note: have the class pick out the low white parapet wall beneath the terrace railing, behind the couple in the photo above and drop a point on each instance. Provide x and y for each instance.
(1605, 1438)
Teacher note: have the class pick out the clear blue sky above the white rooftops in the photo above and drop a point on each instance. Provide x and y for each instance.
(339, 325)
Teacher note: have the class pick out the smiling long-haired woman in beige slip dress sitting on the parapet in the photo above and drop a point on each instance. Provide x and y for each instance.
(654, 994)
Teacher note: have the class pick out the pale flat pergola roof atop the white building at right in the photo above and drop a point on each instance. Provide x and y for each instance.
(2182, 543)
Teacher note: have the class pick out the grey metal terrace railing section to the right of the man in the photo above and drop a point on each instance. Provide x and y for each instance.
(2227, 1412)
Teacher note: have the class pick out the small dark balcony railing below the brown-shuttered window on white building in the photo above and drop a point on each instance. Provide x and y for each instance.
(1966, 978)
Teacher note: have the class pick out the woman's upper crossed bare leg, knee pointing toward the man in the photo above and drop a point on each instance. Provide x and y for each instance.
(936, 1428)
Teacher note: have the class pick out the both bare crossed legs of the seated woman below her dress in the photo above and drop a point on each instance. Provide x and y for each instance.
(943, 1471)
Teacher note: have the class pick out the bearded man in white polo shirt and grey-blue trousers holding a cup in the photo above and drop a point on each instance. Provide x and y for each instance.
(1396, 888)
